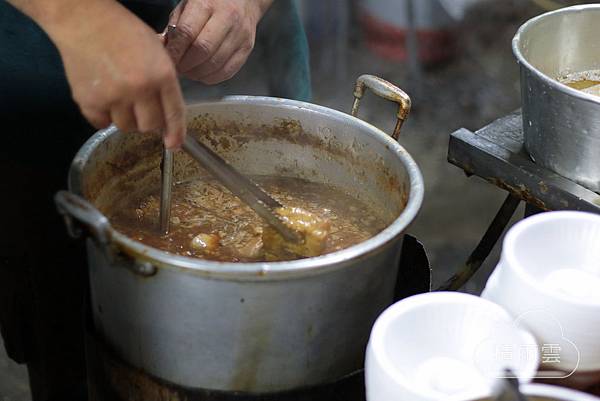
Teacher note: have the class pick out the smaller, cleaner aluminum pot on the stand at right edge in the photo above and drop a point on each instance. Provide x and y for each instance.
(561, 124)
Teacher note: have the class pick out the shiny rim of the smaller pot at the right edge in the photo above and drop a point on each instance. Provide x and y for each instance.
(552, 82)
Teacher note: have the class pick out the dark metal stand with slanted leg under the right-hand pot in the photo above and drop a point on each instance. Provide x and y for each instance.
(496, 154)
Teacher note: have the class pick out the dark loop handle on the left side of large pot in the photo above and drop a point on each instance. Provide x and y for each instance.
(79, 212)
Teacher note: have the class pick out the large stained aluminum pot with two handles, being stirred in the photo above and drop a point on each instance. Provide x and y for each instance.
(256, 327)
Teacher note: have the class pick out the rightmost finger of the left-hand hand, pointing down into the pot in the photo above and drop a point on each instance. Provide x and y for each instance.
(174, 115)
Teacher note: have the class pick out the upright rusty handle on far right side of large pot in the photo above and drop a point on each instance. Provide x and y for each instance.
(386, 90)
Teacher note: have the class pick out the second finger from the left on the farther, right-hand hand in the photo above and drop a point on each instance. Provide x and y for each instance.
(207, 43)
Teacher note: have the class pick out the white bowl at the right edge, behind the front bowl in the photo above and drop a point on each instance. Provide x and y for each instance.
(549, 279)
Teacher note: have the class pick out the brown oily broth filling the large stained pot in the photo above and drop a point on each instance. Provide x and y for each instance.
(208, 222)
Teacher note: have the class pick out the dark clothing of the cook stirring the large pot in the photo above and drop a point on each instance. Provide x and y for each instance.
(43, 274)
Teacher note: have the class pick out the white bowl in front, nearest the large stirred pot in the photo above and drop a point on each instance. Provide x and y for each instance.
(444, 346)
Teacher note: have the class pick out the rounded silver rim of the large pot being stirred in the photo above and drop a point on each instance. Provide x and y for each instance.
(268, 270)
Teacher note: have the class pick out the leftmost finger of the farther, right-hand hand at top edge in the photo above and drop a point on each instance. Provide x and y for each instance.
(190, 18)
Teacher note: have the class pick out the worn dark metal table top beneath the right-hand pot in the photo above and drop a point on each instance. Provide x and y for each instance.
(496, 154)
